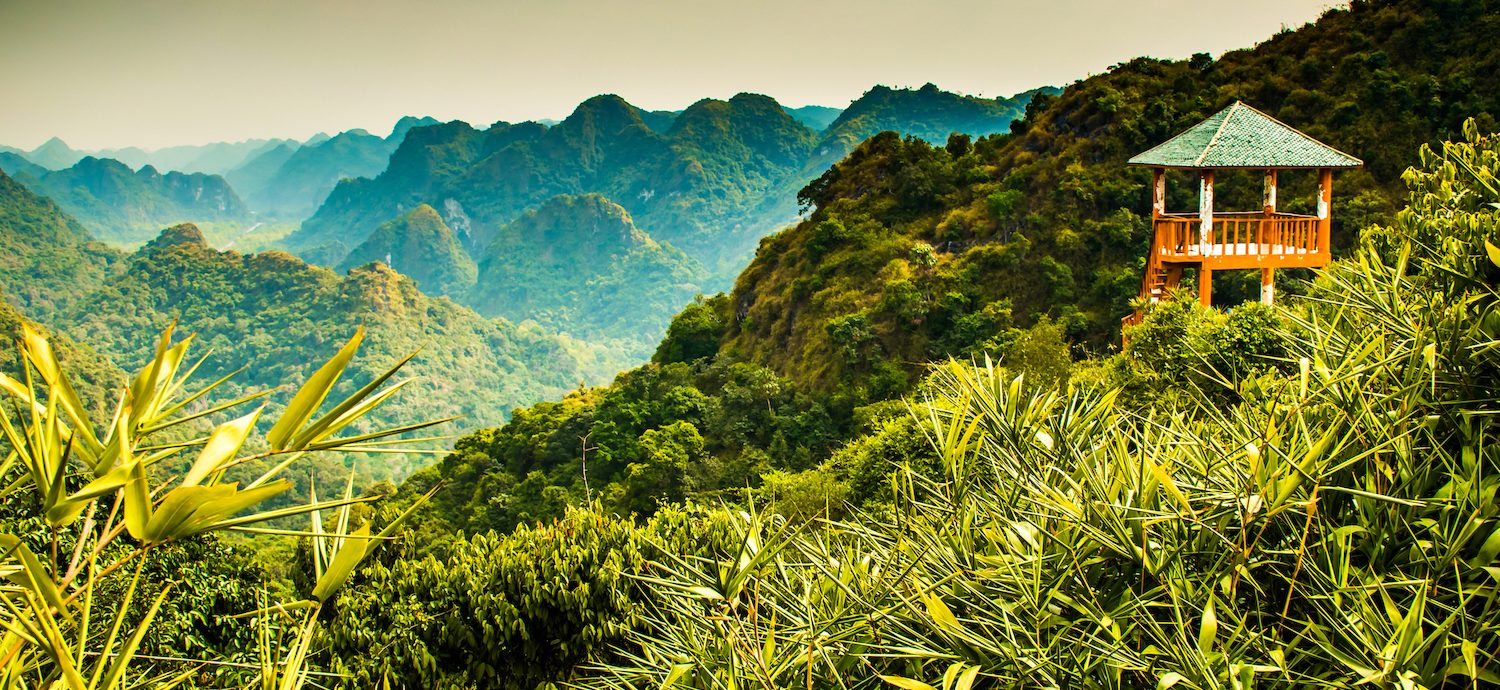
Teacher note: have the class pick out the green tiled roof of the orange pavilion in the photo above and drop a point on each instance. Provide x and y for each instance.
(1244, 137)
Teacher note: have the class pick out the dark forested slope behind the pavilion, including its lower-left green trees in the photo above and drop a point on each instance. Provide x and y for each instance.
(1009, 247)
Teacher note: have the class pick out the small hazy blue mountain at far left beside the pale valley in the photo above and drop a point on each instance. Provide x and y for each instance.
(128, 208)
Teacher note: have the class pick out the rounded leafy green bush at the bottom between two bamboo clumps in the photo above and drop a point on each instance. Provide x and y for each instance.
(499, 611)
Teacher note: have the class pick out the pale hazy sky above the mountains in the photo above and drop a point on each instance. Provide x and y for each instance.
(161, 73)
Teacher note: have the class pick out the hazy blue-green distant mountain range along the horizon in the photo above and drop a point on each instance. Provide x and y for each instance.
(601, 226)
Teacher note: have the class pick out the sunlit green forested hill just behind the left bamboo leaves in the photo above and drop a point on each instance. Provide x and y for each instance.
(275, 314)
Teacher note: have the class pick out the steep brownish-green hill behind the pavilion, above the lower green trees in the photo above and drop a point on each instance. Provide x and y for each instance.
(920, 253)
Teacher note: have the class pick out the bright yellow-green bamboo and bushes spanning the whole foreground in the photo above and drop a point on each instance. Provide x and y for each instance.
(1319, 514)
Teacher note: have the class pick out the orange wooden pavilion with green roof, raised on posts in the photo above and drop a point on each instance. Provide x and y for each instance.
(1238, 137)
